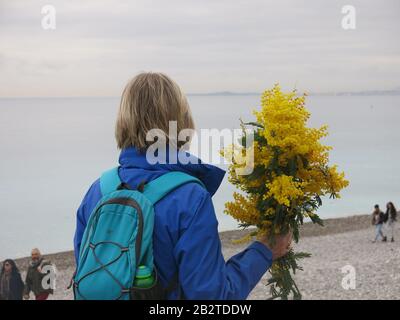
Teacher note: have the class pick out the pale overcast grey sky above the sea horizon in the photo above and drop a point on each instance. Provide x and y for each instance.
(206, 46)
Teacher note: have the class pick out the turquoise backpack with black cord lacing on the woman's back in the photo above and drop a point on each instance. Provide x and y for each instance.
(119, 238)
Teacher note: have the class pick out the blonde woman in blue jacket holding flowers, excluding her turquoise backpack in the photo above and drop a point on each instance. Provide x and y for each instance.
(185, 238)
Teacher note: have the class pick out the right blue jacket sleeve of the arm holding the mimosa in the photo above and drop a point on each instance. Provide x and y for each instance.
(203, 272)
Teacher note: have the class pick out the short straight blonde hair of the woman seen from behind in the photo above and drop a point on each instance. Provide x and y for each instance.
(150, 101)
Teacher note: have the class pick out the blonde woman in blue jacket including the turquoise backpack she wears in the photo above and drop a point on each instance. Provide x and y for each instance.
(147, 229)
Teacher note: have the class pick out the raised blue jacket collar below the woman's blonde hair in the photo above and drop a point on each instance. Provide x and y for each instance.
(210, 175)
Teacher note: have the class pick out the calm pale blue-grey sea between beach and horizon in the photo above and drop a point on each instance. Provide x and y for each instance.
(52, 150)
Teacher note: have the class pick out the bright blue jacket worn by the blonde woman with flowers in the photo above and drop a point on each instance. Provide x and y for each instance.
(186, 233)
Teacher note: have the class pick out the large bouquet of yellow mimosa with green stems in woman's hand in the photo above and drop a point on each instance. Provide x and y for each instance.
(290, 174)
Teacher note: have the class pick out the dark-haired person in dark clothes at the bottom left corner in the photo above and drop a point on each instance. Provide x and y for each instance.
(11, 284)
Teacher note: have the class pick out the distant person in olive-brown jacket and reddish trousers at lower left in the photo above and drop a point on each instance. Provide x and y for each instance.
(35, 275)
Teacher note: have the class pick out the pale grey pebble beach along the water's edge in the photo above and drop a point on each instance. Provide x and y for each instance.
(343, 245)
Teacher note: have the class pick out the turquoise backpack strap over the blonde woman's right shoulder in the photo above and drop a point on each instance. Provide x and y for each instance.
(156, 189)
